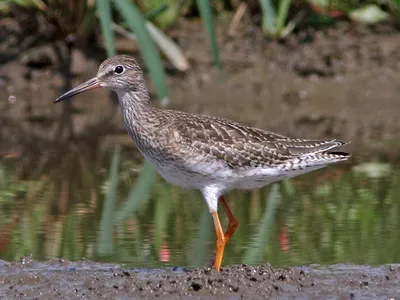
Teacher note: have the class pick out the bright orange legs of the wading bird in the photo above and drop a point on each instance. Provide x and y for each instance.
(223, 238)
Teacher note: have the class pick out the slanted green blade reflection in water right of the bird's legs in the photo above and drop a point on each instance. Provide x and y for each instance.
(254, 252)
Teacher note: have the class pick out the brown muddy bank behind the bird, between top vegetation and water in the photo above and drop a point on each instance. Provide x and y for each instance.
(337, 82)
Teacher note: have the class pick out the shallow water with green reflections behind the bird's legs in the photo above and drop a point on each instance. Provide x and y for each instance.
(54, 206)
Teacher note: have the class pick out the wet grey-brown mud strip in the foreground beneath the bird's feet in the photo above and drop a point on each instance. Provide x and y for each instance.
(62, 279)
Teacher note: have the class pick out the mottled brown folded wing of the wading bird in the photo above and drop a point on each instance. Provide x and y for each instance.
(241, 146)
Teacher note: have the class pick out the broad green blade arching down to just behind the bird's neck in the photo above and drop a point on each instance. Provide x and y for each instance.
(136, 23)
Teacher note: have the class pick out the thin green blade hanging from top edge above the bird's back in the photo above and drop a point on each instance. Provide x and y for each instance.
(206, 14)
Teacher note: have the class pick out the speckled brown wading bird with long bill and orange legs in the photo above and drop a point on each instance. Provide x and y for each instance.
(203, 152)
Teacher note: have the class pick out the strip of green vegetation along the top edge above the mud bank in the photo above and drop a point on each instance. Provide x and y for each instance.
(279, 17)
